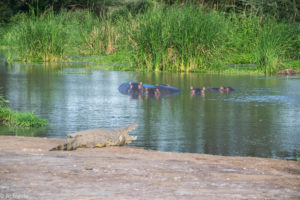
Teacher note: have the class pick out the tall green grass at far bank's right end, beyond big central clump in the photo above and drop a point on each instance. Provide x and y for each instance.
(263, 42)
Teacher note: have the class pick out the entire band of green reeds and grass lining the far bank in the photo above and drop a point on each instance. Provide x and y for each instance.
(159, 36)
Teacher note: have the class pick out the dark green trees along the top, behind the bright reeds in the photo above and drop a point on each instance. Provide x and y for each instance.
(277, 9)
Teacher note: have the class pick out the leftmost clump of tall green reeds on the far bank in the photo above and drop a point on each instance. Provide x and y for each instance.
(41, 38)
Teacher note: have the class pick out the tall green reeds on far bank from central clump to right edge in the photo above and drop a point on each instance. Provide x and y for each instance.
(184, 38)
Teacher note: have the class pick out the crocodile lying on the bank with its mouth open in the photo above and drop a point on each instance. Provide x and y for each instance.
(98, 138)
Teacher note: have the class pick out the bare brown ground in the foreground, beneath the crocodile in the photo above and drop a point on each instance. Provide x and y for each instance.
(29, 171)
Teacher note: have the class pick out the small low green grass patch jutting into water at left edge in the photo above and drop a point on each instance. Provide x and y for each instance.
(18, 120)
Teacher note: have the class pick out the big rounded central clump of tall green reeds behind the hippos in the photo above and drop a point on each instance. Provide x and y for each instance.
(176, 39)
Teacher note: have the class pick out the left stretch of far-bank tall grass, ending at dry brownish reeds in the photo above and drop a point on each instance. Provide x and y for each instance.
(53, 36)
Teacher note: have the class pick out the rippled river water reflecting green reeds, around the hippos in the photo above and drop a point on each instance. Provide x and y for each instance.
(261, 118)
